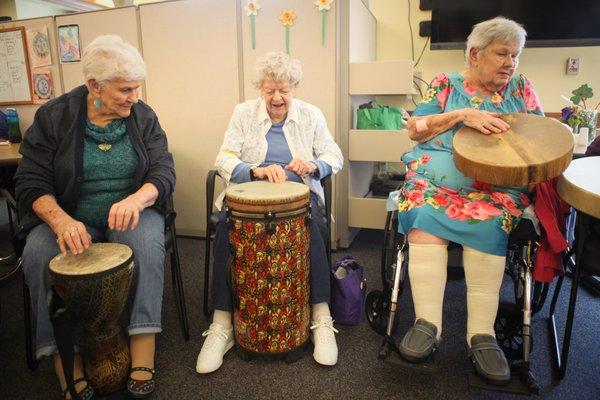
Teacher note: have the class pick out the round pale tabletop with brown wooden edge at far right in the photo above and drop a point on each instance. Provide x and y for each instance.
(584, 197)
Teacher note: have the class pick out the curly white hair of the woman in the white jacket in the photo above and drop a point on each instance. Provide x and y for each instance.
(277, 66)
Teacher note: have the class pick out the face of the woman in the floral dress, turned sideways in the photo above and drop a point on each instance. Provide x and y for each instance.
(495, 64)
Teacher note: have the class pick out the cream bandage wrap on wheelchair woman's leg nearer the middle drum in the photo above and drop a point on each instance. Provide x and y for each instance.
(427, 271)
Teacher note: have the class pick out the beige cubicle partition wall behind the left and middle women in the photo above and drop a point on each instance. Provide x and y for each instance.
(200, 62)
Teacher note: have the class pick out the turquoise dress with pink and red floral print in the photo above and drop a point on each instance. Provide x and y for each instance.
(436, 197)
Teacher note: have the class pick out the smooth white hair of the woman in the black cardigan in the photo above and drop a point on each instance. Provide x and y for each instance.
(108, 57)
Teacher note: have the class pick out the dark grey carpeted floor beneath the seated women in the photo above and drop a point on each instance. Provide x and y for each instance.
(358, 375)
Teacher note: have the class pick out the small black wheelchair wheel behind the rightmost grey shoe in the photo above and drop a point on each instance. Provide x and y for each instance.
(509, 330)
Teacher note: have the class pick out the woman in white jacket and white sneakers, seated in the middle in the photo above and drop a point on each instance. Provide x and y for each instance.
(276, 138)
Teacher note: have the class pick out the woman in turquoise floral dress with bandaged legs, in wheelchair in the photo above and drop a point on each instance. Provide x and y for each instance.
(438, 204)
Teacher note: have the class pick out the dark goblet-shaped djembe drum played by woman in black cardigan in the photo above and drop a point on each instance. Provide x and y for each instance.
(94, 287)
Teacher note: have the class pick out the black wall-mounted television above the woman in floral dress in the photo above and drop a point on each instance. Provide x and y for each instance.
(549, 23)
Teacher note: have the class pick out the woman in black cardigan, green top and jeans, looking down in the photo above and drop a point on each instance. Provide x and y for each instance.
(96, 167)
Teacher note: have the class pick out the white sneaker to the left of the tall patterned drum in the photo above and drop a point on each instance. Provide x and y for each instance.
(218, 341)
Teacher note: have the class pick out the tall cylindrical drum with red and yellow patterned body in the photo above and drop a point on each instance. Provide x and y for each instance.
(270, 239)
